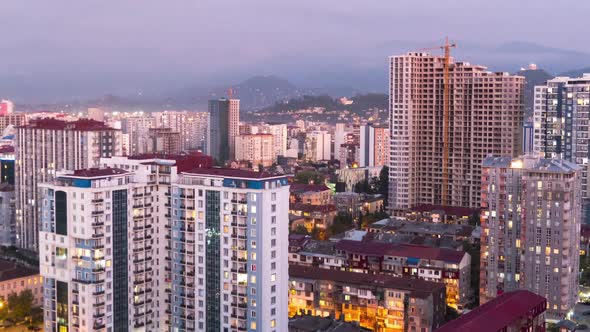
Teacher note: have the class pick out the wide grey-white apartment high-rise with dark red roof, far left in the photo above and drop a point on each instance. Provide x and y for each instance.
(46, 146)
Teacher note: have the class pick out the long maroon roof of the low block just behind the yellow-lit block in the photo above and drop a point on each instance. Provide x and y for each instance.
(401, 250)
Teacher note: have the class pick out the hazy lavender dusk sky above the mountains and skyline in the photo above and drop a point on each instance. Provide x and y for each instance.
(71, 48)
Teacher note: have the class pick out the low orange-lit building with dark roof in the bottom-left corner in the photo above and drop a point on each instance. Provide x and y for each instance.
(16, 278)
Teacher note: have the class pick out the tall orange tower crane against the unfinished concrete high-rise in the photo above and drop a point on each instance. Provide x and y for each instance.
(446, 116)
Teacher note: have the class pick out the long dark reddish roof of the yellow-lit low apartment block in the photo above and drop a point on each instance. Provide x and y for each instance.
(419, 288)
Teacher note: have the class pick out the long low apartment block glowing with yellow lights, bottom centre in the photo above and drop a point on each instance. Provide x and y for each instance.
(378, 302)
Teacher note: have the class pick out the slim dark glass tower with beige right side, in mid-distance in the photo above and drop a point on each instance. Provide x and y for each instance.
(224, 126)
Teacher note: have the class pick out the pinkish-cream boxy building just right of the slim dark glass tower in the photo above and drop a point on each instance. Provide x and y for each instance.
(258, 149)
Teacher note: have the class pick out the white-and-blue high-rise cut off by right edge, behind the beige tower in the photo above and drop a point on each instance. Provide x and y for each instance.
(562, 108)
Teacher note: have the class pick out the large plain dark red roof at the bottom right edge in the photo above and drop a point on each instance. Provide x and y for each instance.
(498, 313)
